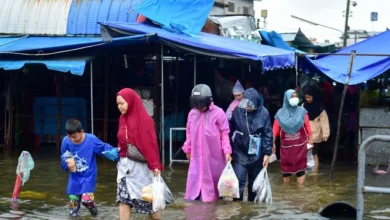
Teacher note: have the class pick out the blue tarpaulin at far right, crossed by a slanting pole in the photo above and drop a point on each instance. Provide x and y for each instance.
(364, 67)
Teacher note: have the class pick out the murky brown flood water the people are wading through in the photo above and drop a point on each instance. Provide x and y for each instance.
(43, 196)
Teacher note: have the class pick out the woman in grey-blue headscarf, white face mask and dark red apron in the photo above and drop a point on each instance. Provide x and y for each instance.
(293, 126)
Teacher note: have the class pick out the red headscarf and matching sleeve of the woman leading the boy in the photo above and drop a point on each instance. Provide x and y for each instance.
(140, 128)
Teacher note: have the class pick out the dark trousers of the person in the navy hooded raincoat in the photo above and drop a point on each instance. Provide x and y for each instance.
(242, 172)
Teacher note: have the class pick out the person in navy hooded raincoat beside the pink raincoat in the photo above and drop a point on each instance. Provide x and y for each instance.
(252, 140)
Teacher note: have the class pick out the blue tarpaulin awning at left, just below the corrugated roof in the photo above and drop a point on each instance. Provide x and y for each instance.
(58, 53)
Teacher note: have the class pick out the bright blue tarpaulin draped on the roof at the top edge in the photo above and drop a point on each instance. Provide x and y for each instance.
(180, 16)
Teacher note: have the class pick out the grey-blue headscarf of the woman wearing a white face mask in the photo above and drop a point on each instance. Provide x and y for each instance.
(291, 119)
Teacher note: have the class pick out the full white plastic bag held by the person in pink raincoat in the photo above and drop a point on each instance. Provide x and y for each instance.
(228, 185)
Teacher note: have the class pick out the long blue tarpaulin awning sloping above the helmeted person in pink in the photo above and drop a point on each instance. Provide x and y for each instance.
(214, 45)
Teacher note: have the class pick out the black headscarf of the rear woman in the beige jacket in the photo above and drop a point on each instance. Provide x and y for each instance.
(315, 108)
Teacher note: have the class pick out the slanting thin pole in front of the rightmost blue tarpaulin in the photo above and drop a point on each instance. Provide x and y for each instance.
(352, 58)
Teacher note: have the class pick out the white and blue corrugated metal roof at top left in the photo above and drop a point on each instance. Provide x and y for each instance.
(62, 17)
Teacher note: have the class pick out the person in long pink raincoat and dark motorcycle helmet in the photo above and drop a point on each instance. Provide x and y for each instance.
(207, 145)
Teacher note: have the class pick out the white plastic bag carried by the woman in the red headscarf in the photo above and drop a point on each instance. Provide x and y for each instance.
(161, 194)
